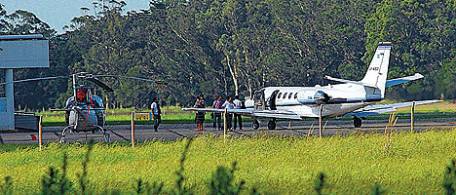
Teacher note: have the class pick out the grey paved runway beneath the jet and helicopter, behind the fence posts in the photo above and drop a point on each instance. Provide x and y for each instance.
(171, 132)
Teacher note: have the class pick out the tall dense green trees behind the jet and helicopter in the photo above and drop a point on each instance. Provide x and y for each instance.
(230, 47)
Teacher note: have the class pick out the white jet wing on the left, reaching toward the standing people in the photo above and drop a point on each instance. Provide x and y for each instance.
(278, 114)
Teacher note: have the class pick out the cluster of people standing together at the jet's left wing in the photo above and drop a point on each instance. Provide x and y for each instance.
(218, 103)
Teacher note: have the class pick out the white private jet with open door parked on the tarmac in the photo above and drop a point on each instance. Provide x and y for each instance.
(352, 98)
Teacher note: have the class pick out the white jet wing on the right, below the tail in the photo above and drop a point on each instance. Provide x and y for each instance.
(376, 109)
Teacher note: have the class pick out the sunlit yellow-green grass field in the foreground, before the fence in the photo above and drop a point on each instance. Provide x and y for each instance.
(414, 164)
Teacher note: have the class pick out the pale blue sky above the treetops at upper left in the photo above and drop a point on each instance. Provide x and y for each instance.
(58, 13)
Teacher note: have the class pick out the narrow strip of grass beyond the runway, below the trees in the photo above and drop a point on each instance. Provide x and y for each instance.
(174, 114)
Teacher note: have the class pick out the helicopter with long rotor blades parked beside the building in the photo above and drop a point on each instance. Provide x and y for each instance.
(85, 111)
